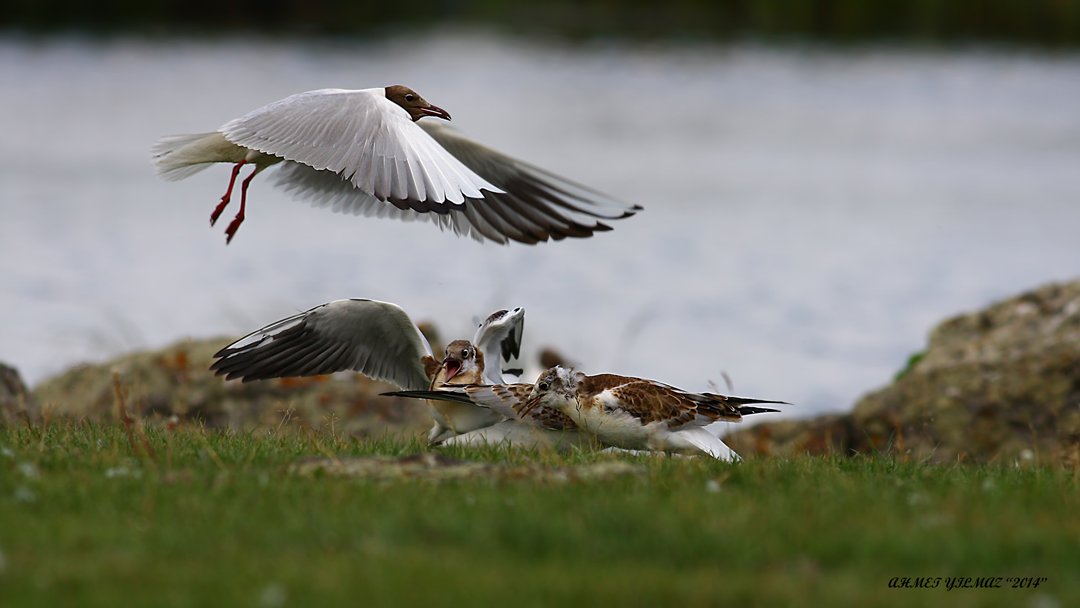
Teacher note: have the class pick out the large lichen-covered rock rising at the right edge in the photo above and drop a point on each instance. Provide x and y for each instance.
(1000, 385)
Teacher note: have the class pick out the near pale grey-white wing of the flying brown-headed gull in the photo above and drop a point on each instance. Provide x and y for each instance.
(364, 138)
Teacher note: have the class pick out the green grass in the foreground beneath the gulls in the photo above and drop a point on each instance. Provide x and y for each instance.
(219, 520)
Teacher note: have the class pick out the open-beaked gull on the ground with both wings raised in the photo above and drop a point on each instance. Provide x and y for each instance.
(380, 341)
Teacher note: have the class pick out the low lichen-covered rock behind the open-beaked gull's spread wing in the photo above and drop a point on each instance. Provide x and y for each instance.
(178, 382)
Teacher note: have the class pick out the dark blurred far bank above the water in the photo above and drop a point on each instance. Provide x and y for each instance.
(1031, 22)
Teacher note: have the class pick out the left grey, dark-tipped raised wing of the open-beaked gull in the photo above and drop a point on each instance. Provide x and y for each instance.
(377, 340)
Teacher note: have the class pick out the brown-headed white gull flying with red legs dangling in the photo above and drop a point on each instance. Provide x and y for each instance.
(366, 153)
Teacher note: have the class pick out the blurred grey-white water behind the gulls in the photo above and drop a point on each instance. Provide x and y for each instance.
(811, 212)
